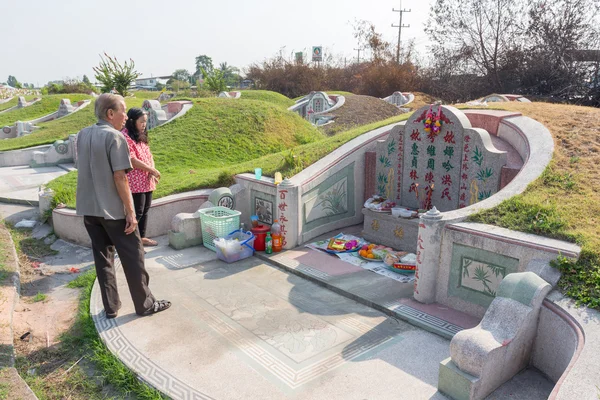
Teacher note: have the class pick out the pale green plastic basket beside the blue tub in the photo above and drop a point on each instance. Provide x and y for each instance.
(217, 222)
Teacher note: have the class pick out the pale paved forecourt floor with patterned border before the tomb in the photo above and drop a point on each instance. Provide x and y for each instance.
(250, 330)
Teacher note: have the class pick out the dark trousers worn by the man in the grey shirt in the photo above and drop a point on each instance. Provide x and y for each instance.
(107, 235)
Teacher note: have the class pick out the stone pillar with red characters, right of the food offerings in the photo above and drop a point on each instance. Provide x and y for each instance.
(429, 243)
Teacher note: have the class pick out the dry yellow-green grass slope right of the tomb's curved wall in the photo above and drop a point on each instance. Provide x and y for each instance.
(564, 203)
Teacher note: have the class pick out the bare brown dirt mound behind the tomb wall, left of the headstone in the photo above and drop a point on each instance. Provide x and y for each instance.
(360, 110)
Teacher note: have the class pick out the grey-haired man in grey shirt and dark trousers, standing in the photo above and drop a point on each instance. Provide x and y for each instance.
(105, 201)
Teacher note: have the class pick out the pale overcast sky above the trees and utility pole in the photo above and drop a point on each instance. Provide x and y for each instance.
(45, 40)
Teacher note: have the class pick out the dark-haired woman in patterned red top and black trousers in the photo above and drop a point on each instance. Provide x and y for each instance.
(143, 178)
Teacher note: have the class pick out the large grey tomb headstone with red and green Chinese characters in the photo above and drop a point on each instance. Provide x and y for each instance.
(454, 168)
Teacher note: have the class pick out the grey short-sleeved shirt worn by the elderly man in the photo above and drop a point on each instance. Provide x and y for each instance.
(101, 150)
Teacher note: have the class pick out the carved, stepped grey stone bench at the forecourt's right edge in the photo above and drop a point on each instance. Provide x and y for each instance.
(484, 357)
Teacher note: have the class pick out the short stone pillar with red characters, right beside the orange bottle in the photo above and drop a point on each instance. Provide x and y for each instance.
(288, 213)
